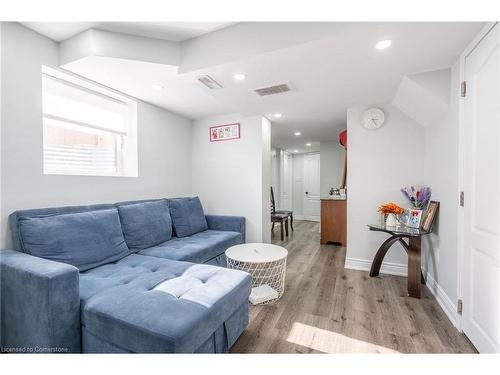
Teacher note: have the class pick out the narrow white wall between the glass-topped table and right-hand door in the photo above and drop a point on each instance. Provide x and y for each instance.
(441, 165)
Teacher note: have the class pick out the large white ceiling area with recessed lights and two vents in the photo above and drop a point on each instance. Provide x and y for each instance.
(327, 74)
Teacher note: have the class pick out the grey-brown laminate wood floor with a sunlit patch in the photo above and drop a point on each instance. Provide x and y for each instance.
(329, 309)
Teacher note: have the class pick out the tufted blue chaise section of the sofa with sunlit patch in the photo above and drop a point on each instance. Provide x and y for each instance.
(145, 304)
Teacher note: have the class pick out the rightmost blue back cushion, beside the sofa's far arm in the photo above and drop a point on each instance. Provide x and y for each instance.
(187, 216)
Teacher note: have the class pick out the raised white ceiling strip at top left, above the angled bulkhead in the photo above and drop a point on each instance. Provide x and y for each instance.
(173, 31)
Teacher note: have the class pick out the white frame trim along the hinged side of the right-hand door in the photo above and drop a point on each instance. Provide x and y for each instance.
(461, 169)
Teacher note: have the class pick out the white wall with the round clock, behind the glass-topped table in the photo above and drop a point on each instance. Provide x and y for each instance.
(380, 162)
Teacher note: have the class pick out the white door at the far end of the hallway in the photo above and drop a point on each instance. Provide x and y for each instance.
(312, 203)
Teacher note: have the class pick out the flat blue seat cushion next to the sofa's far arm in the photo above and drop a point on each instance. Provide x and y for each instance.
(198, 248)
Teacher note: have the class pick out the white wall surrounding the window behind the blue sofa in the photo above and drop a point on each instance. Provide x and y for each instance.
(163, 141)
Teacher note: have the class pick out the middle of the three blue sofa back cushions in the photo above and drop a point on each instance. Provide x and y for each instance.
(145, 224)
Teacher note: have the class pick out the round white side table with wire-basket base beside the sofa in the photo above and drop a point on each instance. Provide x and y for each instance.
(265, 262)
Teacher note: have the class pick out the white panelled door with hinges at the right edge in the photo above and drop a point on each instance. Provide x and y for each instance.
(481, 286)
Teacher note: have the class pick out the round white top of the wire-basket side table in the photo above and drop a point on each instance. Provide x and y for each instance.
(256, 252)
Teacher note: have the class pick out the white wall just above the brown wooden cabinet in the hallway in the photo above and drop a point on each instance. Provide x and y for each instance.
(331, 166)
